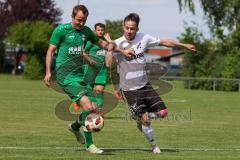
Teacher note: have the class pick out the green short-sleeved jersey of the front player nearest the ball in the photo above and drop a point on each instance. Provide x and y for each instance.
(70, 44)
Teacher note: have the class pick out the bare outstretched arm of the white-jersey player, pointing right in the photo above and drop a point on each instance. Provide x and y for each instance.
(174, 43)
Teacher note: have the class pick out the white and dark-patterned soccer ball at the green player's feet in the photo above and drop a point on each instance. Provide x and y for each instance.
(94, 122)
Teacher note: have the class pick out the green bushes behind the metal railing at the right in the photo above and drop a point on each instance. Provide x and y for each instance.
(214, 59)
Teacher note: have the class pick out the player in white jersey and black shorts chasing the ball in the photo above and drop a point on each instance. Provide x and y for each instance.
(143, 101)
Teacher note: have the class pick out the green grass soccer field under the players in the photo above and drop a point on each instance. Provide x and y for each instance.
(201, 125)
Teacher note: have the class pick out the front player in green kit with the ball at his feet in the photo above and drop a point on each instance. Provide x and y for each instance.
(69, 41)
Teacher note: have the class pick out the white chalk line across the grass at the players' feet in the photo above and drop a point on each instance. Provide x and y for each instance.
(115, 148)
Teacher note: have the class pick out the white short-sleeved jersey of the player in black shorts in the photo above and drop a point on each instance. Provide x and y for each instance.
(132, 70)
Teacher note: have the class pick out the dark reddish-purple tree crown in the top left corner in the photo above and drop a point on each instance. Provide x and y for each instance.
(14, 11)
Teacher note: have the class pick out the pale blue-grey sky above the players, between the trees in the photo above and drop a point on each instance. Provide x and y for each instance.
(160, 18)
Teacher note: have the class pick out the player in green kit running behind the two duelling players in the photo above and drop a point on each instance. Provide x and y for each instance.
(95, 73)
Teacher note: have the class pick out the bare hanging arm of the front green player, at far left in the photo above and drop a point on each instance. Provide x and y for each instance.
(50, 52)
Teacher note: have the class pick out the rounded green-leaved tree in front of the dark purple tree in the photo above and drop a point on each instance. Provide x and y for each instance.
(30, 36)
